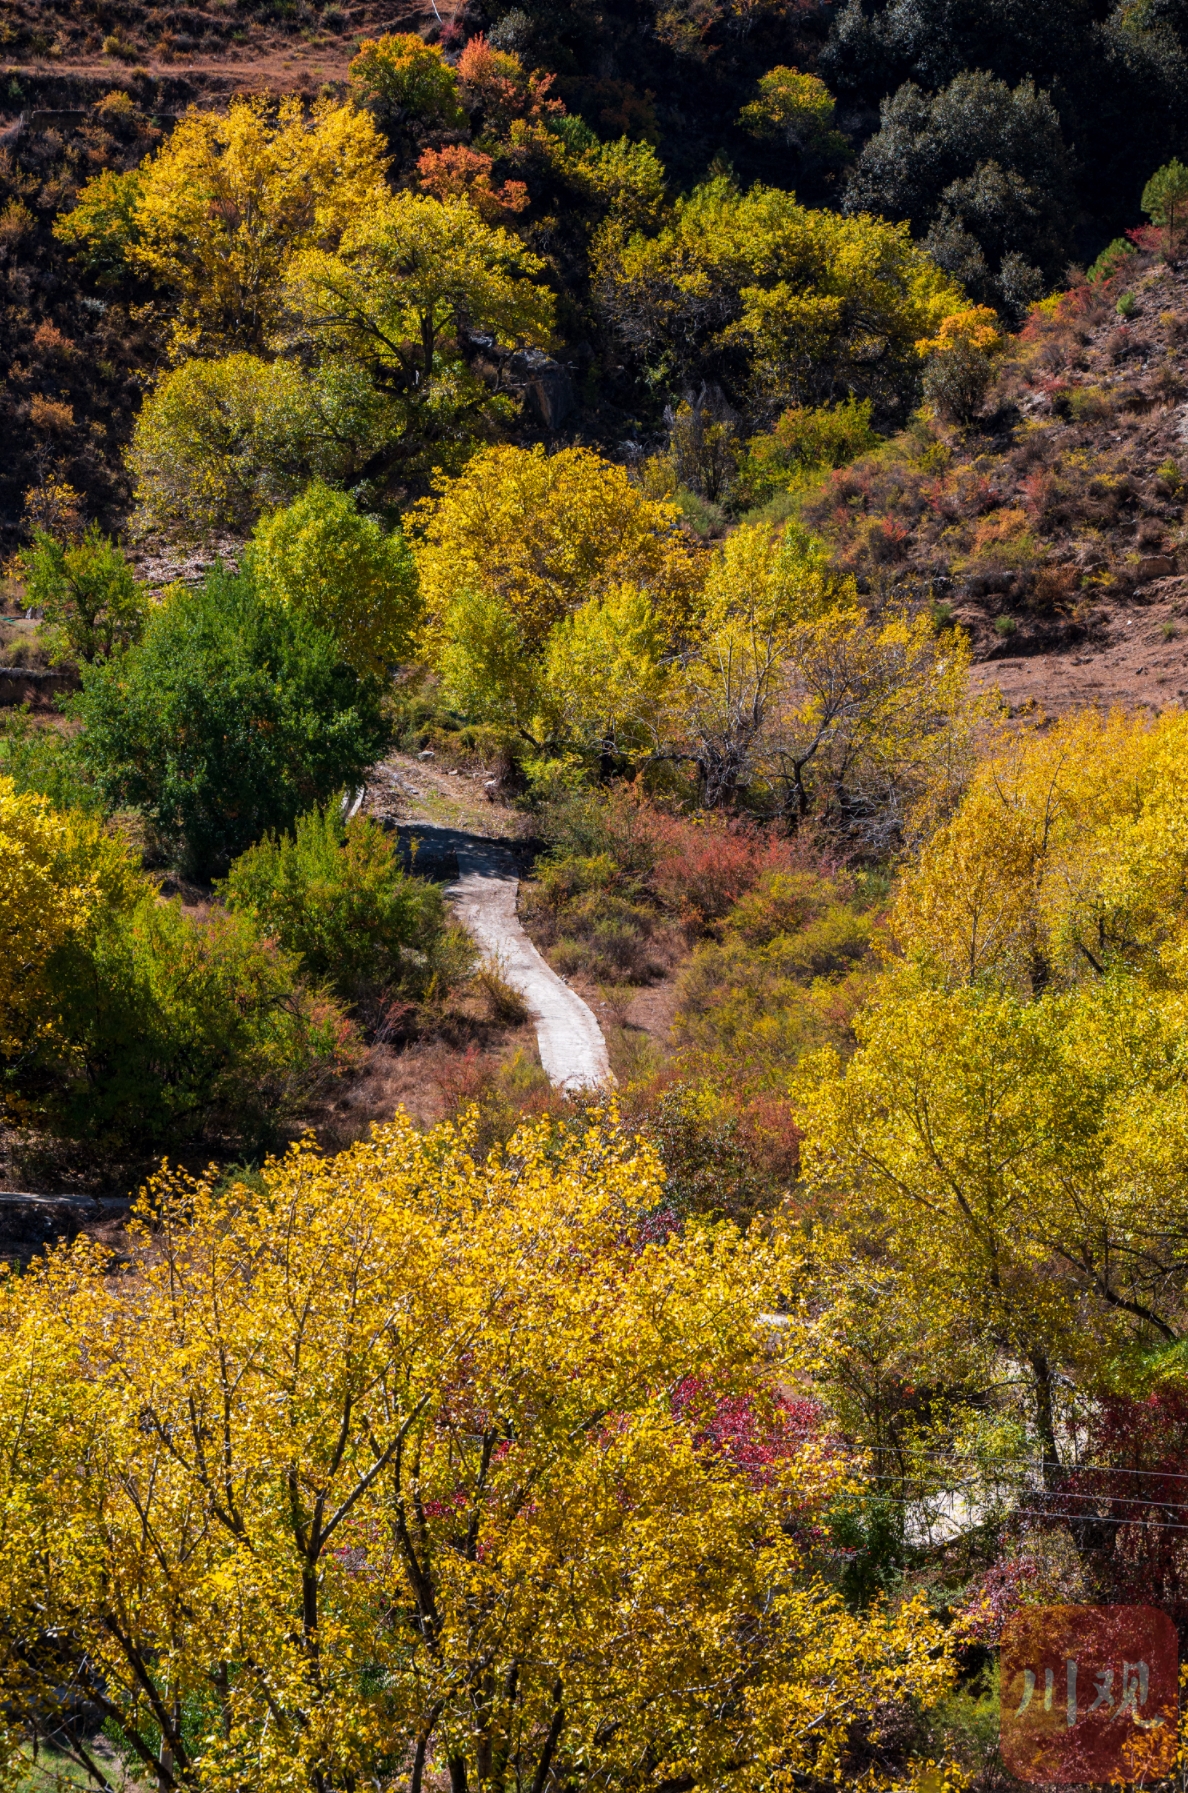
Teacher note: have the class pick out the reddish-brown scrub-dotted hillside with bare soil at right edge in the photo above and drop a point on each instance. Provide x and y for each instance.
(1053, 532)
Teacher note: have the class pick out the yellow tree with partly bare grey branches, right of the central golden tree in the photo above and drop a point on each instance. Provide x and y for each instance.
(791, 689)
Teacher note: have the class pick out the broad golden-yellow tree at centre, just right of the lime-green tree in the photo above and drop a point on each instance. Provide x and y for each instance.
(546, 575)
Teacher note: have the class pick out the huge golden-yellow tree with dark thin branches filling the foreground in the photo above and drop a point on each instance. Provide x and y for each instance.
(402, 1464)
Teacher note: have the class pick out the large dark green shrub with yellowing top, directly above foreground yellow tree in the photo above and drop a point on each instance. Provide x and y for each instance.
(175, 1026)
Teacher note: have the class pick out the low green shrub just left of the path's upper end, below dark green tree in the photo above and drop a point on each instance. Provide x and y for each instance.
(336, 896)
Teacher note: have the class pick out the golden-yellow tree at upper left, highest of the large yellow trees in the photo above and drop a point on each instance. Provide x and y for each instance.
(218, 212)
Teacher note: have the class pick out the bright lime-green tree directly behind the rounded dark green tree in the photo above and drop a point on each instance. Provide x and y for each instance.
(343, 571)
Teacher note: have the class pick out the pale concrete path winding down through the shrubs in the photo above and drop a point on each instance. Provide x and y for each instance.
(485, 901)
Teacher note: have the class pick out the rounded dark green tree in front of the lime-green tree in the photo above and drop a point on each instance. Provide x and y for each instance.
(227, 720)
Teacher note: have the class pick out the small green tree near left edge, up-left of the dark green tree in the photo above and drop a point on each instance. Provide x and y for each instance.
(87, 593)
